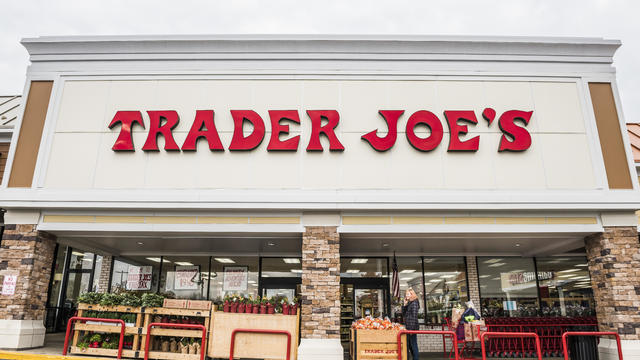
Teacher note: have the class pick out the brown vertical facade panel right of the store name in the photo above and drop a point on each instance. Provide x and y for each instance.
(613, 151)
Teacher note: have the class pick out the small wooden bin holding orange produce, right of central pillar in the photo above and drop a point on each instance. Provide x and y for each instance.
(376, 345)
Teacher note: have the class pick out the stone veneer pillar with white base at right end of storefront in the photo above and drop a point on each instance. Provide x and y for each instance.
(614, 266)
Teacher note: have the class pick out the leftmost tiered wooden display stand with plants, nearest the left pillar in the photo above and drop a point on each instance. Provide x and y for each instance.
(129, 330)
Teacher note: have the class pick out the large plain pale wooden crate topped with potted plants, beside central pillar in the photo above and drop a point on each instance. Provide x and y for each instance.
(253, 346)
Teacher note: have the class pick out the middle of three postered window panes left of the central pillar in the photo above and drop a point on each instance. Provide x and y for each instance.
(185, 277)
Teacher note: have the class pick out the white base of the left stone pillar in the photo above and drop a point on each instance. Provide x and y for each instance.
(21, 334)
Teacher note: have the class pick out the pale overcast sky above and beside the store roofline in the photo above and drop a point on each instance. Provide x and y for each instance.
(613, 19)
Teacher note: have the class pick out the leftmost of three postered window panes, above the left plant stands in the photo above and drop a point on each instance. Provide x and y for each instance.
(135, 264)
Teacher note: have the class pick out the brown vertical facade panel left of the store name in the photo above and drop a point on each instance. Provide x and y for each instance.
(26, 153)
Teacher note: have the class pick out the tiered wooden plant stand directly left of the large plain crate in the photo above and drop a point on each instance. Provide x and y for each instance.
(149, 314)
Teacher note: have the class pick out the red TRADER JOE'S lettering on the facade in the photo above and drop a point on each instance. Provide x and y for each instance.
(515, 137)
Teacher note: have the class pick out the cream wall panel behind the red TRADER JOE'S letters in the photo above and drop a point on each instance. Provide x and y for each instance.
(558, 159)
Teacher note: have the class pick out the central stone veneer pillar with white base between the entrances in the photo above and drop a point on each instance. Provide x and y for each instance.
(320, 294)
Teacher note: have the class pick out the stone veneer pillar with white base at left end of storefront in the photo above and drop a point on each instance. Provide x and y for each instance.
(27, 253)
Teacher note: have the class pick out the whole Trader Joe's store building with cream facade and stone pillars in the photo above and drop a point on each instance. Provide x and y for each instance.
(497, 170)
